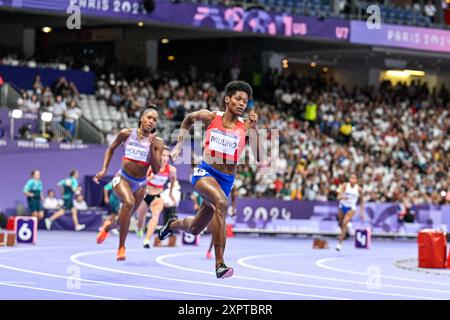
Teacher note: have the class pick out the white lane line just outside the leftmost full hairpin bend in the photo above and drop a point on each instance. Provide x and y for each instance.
(104, 282)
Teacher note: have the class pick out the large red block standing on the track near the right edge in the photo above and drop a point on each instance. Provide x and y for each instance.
(432, 248)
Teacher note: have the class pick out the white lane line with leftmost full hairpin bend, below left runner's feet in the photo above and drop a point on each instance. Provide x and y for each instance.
(75, 259)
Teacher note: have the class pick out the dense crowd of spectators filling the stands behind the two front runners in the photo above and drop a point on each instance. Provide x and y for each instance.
(394, 136)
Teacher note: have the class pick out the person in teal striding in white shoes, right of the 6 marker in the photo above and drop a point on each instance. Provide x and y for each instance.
(69, 187)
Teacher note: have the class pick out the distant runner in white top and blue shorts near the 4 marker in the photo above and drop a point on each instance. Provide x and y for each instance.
(348, 195)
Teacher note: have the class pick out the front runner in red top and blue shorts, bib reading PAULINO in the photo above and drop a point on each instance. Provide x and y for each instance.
(213, 179)
